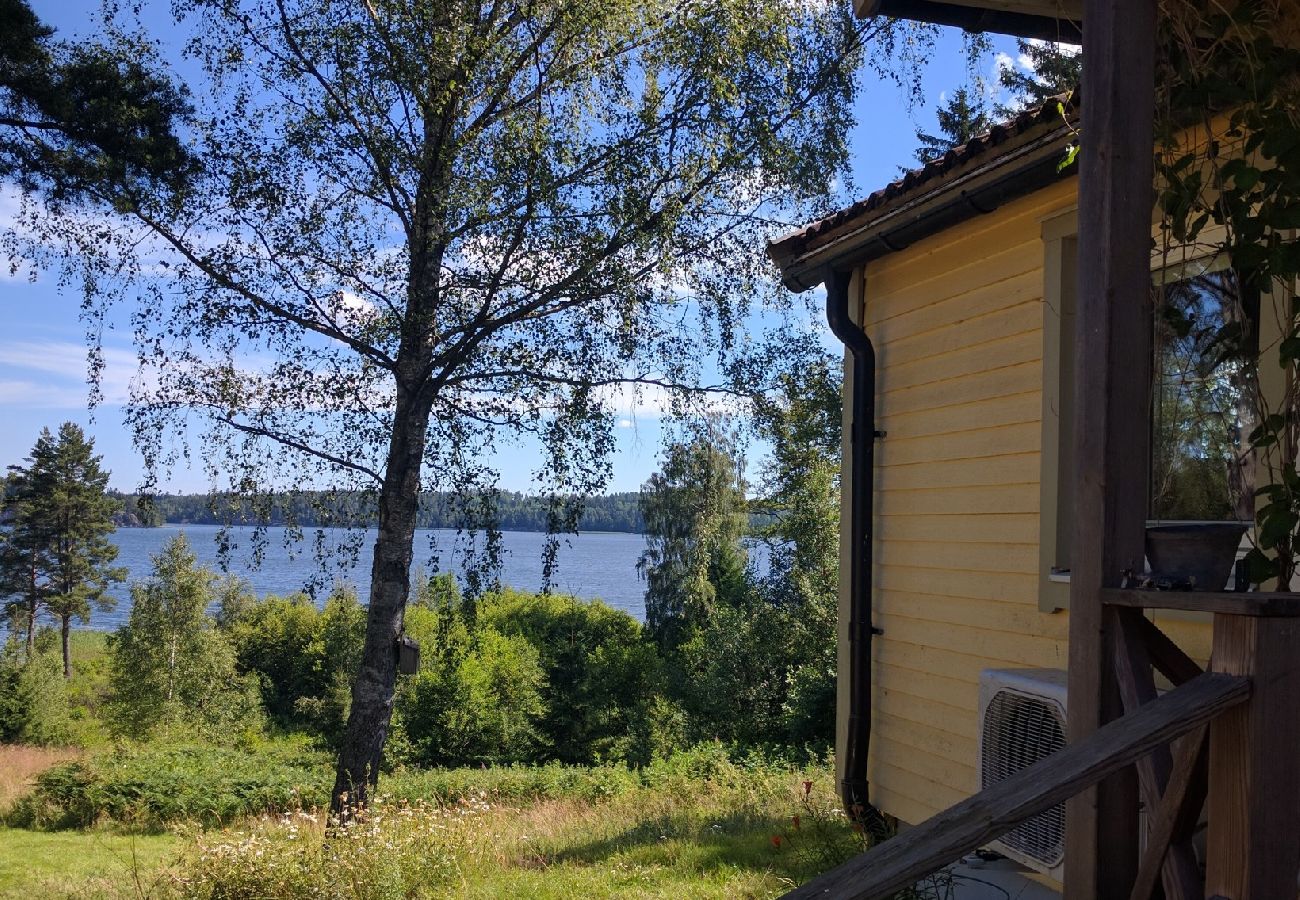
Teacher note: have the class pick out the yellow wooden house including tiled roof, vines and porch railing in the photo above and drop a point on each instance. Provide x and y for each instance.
(999, 416)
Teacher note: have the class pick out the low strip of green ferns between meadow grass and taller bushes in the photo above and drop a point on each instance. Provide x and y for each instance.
(151, 787)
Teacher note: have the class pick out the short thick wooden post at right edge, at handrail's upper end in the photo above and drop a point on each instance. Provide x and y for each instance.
(1254, 842)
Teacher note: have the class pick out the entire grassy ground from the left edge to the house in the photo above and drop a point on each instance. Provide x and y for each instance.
(696, 825)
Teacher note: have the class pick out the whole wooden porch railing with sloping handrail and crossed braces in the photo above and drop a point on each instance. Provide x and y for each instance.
(1199, 741)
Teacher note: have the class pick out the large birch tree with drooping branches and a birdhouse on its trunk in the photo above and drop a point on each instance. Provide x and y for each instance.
(418, 227)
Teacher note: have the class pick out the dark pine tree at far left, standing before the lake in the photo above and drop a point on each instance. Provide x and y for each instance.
(59, 555)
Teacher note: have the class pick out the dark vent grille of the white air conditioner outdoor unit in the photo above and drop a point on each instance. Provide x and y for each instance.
(1020, 732)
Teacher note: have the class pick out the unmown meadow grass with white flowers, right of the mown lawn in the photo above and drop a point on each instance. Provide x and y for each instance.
(668, 841)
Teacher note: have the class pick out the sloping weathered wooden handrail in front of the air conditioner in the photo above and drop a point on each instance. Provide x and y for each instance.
(900, 862)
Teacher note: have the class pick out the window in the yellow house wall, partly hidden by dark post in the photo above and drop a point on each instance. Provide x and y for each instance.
(1202, 410)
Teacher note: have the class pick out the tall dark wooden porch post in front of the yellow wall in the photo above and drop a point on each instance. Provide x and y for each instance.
(1112, 412)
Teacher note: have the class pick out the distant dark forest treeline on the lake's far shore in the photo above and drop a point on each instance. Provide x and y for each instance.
(512, 510)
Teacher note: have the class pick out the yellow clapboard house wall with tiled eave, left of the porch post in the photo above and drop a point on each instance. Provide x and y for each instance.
(963, 276)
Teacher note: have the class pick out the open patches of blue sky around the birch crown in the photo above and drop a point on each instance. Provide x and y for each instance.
(44, 348)
